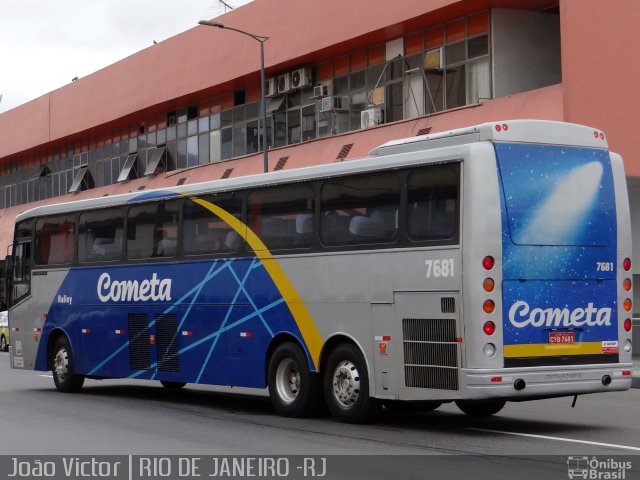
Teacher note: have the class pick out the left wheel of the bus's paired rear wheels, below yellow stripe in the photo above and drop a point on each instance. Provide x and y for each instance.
(294, 390)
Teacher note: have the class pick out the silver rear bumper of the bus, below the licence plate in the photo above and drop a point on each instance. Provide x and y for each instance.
(544, 382)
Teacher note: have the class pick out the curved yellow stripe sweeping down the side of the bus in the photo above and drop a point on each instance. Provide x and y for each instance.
(298, 309)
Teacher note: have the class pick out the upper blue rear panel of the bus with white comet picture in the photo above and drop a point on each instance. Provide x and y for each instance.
(557, 195)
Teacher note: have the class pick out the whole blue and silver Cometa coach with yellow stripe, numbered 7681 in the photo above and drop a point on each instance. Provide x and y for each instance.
(482, 265)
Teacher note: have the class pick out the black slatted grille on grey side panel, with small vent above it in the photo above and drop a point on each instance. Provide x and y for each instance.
(430, 353)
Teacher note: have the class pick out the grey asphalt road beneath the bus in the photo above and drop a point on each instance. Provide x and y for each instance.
(128, 417)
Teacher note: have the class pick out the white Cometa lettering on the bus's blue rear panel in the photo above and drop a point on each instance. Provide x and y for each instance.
(522, 315)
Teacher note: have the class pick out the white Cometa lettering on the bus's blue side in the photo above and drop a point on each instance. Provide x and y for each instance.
(133, 291)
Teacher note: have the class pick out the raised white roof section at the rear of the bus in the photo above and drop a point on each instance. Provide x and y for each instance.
(518, 131)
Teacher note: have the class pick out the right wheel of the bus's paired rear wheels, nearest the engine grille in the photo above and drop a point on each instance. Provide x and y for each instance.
(346, 386)
